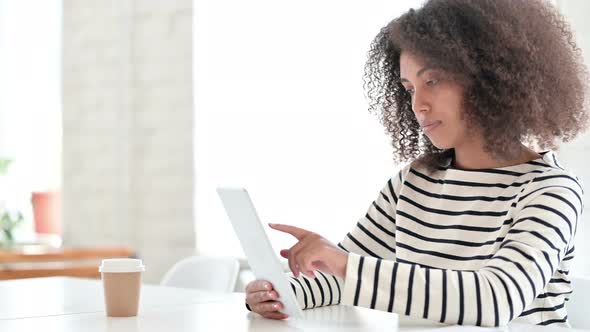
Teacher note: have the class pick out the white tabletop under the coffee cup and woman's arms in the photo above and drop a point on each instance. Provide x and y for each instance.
(70, 304)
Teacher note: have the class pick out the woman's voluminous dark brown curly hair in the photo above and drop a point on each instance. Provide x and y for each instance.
(522, 75)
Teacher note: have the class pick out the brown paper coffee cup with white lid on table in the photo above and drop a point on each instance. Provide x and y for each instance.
(121, 279)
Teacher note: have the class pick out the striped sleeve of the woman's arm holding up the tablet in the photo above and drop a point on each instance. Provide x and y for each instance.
(376, 230)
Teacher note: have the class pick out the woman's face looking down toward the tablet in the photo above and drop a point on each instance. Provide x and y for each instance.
(436, 102)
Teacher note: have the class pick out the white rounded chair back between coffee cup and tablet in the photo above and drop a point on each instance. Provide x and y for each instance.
(201, 272)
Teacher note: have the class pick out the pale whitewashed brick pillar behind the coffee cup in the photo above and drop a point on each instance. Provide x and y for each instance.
(127, 127)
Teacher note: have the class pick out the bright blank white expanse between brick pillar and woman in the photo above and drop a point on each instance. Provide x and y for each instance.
(280, 109)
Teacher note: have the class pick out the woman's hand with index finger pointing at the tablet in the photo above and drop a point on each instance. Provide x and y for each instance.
(312, 252)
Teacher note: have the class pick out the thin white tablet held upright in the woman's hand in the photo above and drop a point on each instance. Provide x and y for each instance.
(261, 257)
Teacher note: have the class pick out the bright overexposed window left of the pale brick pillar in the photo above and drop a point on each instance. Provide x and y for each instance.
(30, 98)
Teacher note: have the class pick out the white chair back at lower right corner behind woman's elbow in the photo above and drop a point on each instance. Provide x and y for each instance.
(577, 306)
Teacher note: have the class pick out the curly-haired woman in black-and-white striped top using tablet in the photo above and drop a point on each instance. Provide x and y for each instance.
(477, 228)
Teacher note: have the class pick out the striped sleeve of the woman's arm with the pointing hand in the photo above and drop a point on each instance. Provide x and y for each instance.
(539, 239)
